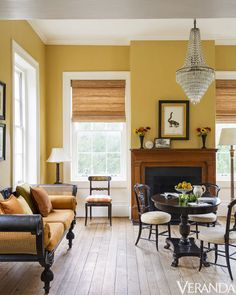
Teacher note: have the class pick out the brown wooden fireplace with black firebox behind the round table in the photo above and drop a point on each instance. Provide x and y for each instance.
(162, 169)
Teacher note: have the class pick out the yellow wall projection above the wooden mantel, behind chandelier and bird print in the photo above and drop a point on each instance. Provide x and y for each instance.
(153, 65)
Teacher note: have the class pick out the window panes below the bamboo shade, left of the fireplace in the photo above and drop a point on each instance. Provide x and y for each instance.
(99, 149)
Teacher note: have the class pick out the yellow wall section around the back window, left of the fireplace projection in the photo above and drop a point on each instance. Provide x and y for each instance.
(61, 59)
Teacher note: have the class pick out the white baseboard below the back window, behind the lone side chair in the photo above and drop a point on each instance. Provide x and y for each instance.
(118, 210)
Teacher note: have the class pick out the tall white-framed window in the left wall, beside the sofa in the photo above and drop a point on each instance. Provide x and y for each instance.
(25, 118)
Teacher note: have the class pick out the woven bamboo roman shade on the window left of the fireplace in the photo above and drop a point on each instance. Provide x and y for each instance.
(98, 100)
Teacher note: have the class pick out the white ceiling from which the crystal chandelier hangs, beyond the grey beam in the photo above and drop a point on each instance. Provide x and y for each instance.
(121, 32)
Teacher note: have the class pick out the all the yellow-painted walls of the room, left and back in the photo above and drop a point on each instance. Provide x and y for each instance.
(152, 65)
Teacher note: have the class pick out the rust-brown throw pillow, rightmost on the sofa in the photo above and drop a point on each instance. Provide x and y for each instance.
(43, 202)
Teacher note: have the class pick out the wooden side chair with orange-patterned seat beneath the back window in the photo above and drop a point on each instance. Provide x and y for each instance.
(99, 200)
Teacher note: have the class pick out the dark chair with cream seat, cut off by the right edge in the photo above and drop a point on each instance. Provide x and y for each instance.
(224, 236)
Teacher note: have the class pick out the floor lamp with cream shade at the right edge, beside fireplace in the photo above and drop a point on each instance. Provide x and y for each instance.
(228, 137)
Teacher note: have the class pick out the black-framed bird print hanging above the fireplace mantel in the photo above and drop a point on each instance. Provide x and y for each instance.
(174, 119)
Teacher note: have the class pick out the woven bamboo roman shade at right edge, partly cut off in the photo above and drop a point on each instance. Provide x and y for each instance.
(226, 101)
